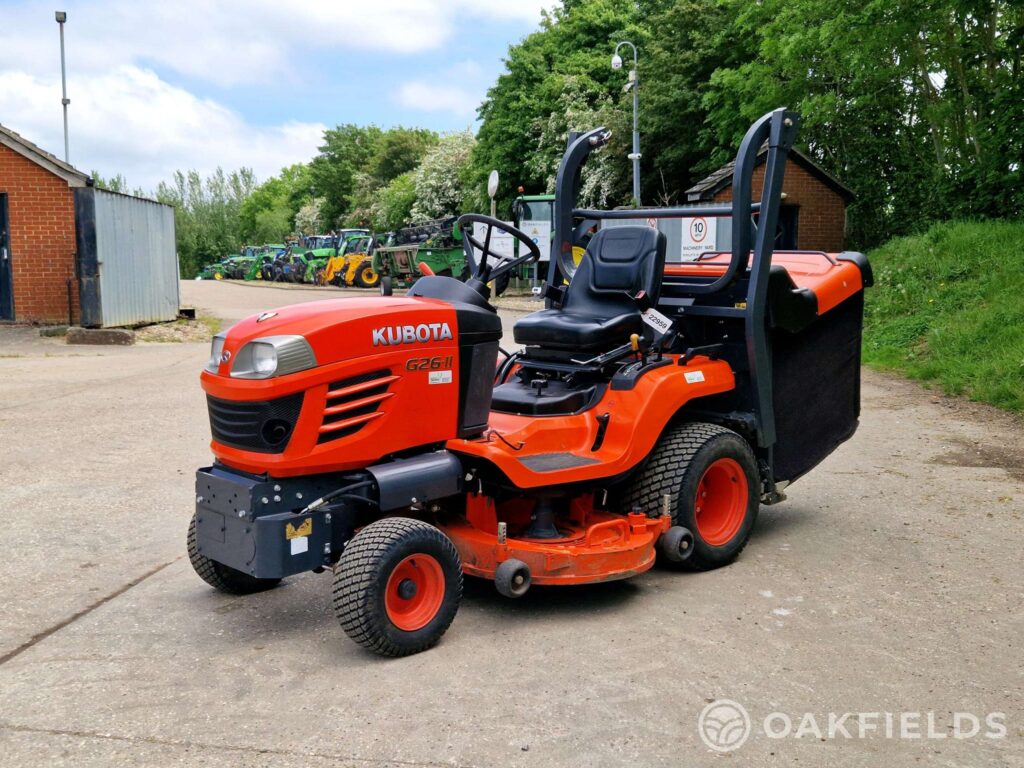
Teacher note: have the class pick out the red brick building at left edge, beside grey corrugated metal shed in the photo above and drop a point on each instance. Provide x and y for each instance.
(37, 233)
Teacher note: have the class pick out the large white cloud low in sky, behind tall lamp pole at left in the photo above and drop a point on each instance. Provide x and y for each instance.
(131, 121)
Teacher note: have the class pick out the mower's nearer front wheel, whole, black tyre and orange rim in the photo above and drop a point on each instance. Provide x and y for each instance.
(398, 586)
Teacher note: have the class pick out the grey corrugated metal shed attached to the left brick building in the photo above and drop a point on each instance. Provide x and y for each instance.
(129, 267)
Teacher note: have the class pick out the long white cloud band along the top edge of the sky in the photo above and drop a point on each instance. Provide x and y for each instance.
(233, 42)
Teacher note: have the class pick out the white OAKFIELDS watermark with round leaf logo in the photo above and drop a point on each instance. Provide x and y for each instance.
(726, 726)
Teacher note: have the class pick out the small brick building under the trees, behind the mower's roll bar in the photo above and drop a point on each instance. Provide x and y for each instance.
(814, 214)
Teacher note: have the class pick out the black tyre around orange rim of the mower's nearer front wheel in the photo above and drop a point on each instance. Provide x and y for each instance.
(362, 576)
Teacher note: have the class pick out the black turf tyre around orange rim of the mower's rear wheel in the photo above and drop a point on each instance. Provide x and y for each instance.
(669, 470)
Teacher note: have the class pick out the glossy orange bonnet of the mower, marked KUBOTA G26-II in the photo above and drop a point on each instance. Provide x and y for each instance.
(411, 413)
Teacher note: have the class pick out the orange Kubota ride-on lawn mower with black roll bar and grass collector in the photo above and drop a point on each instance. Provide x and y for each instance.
(652, 410)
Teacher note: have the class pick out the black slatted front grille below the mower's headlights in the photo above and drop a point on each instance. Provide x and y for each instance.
(265, 426)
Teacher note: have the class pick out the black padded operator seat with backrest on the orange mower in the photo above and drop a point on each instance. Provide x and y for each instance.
(598, 313)
